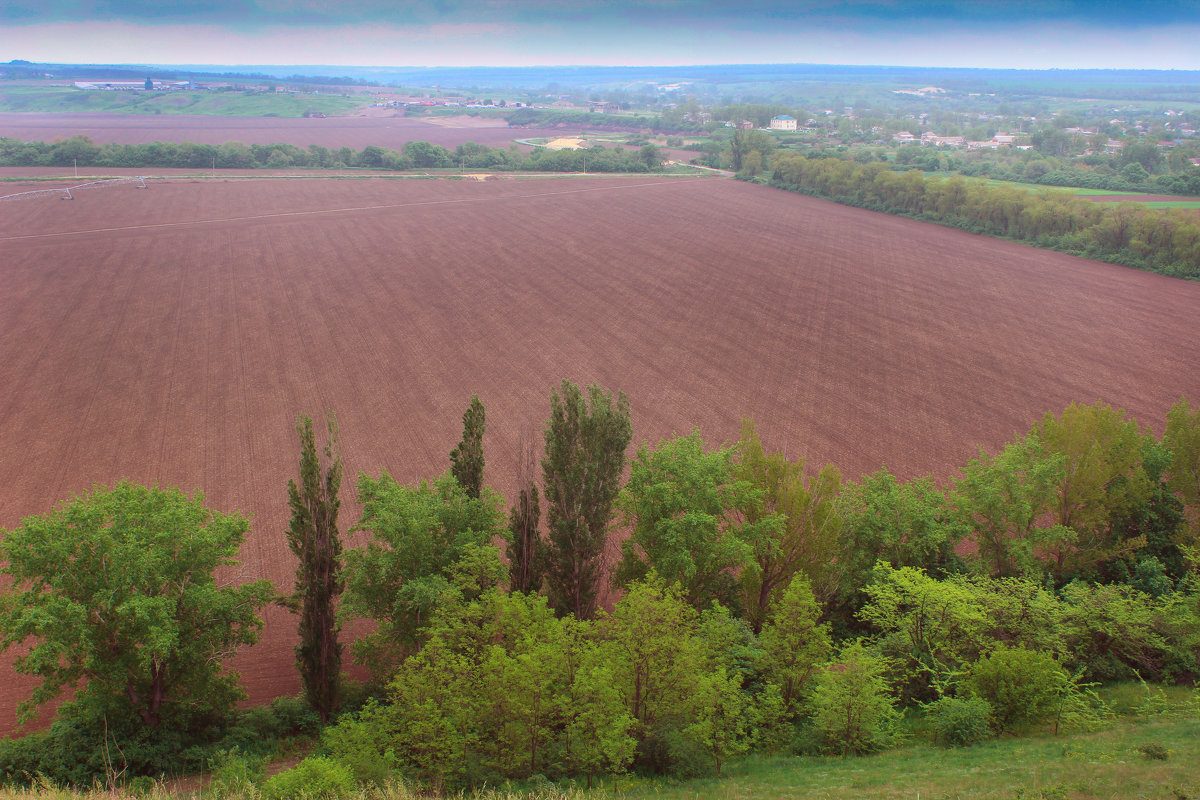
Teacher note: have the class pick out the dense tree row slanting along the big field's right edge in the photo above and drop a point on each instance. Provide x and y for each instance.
(1166, 242)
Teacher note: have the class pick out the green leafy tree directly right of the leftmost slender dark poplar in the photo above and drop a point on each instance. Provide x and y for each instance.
(431, 544)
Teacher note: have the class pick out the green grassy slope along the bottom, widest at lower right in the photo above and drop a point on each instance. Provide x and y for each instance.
(1103, 765)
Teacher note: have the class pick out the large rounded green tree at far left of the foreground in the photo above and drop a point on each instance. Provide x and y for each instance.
(116, 592)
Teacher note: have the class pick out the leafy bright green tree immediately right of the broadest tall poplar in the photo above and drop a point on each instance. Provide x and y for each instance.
(680, 502)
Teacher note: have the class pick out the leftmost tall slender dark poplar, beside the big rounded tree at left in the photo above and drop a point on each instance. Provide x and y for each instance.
(316, 543)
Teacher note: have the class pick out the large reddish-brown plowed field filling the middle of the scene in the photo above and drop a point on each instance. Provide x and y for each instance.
(172, 335)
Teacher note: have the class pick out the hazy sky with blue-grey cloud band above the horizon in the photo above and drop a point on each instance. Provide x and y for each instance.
(1029, 34)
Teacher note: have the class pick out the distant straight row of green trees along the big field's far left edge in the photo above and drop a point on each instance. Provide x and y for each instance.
(236, 155)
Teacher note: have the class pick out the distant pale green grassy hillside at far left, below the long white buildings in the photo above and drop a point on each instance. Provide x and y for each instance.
(207, 104)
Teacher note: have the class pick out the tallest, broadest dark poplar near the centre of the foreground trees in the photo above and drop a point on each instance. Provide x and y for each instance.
(586, 442)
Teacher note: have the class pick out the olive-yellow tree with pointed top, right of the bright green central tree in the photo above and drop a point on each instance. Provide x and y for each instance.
(791, 524)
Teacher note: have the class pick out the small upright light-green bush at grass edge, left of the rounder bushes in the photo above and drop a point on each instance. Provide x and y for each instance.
(853, 709)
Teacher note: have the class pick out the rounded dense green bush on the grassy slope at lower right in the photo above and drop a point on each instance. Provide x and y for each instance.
(1023, 687)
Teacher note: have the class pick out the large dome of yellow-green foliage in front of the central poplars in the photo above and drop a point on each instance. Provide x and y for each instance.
(505, 689)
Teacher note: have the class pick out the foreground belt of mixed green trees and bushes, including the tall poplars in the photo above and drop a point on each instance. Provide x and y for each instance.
(764, 604)
